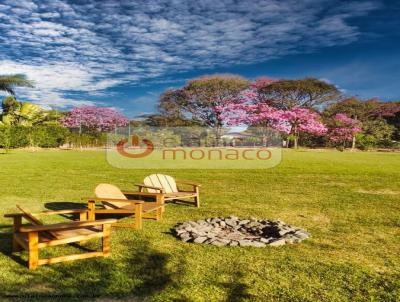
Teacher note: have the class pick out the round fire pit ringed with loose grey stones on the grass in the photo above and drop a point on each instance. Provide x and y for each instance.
(233, 231)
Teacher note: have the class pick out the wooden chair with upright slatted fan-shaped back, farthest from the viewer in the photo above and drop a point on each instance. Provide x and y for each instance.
(170, 189)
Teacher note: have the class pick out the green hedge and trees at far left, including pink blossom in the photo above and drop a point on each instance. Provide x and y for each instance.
(25, 124)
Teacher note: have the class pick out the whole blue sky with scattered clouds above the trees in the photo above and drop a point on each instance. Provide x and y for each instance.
(124, 54)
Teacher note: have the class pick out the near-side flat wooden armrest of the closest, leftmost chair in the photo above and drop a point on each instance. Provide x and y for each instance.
(65, 225)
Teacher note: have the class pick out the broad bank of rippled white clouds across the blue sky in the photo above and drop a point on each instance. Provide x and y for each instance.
(95, 45)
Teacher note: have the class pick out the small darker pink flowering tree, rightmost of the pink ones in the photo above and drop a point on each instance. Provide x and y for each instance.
(344, 129)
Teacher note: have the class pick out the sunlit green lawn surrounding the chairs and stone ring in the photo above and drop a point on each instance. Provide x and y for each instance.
(349, 202)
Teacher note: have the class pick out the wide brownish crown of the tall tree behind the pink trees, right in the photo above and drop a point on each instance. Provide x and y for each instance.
(287, 94)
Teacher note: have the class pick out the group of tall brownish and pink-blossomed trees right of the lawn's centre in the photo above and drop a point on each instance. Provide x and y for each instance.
(308, 112)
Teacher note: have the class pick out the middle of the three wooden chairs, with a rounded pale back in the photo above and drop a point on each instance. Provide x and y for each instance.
(114, 201)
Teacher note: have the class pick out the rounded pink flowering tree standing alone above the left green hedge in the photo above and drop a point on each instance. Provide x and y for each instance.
(94, 119)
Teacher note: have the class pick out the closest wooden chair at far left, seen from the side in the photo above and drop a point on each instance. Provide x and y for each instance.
(37, 235)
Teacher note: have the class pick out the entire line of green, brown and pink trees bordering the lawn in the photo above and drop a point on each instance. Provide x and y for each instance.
(307, 112)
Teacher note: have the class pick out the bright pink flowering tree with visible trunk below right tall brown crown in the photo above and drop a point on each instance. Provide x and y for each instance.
(301, 120)
